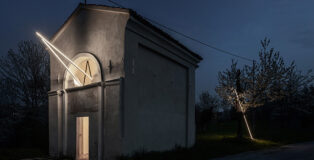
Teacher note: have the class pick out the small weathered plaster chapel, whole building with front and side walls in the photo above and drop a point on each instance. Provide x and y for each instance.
(144, 97)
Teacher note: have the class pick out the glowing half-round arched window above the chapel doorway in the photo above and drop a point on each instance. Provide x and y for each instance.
(88, 63)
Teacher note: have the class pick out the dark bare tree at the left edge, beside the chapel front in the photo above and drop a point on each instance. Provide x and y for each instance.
(24, 84)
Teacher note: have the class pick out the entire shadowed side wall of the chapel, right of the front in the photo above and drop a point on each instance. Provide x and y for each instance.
(159, 93)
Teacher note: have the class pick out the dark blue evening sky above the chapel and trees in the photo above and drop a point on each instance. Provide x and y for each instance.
(236, 26)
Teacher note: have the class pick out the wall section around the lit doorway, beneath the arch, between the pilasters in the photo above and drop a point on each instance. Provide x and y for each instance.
(81, 103)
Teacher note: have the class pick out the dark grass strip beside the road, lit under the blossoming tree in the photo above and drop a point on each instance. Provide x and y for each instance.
(220, 140)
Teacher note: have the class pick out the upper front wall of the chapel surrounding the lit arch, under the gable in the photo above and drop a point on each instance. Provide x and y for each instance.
(100, 33)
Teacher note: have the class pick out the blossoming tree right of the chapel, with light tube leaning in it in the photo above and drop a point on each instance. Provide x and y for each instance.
(267, 80)
